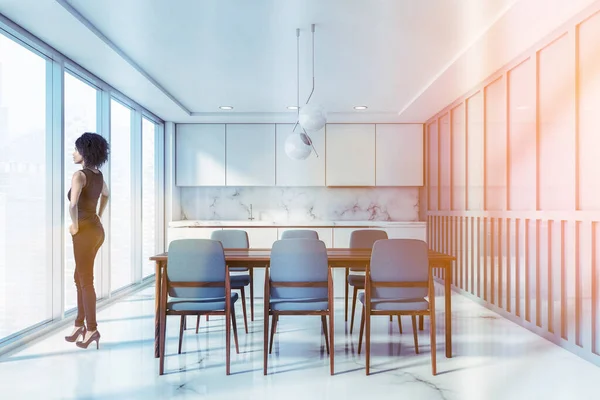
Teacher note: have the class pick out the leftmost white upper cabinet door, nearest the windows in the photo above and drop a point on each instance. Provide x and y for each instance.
(200, 155)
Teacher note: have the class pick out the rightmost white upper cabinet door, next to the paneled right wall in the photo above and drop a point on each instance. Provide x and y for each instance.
(399, 149)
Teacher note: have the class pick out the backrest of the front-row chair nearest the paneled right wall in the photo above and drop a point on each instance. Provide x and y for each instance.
(399, 260)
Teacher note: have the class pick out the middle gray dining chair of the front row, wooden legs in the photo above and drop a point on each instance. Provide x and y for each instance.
(298, 282)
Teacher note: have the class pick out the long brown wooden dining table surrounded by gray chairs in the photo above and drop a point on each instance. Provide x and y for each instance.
(337, 258)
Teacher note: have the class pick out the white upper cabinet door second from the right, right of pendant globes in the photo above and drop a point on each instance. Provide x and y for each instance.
(350, 159)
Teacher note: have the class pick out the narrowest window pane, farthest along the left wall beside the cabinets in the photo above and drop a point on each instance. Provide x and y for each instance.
(148, 196)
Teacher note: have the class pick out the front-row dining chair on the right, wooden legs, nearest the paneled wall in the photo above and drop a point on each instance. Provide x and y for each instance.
(397, 282)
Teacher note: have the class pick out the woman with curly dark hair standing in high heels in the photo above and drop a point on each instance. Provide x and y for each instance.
(87, 186)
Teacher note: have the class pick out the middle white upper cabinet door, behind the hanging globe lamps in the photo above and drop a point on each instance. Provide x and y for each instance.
(309, 172)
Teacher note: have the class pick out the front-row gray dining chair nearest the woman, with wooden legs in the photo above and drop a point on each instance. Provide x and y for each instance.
(196, 282)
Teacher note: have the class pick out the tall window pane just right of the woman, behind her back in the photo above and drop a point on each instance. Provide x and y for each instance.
(121, 207)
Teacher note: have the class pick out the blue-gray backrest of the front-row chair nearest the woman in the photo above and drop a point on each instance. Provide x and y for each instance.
(196, 260)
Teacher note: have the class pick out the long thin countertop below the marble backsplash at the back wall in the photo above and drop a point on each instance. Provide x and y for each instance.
(294, 224)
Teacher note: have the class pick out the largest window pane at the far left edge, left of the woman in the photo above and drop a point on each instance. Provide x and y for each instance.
(25, 269)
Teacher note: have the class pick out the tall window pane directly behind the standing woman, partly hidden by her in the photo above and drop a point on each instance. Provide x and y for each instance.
(80, 117)
